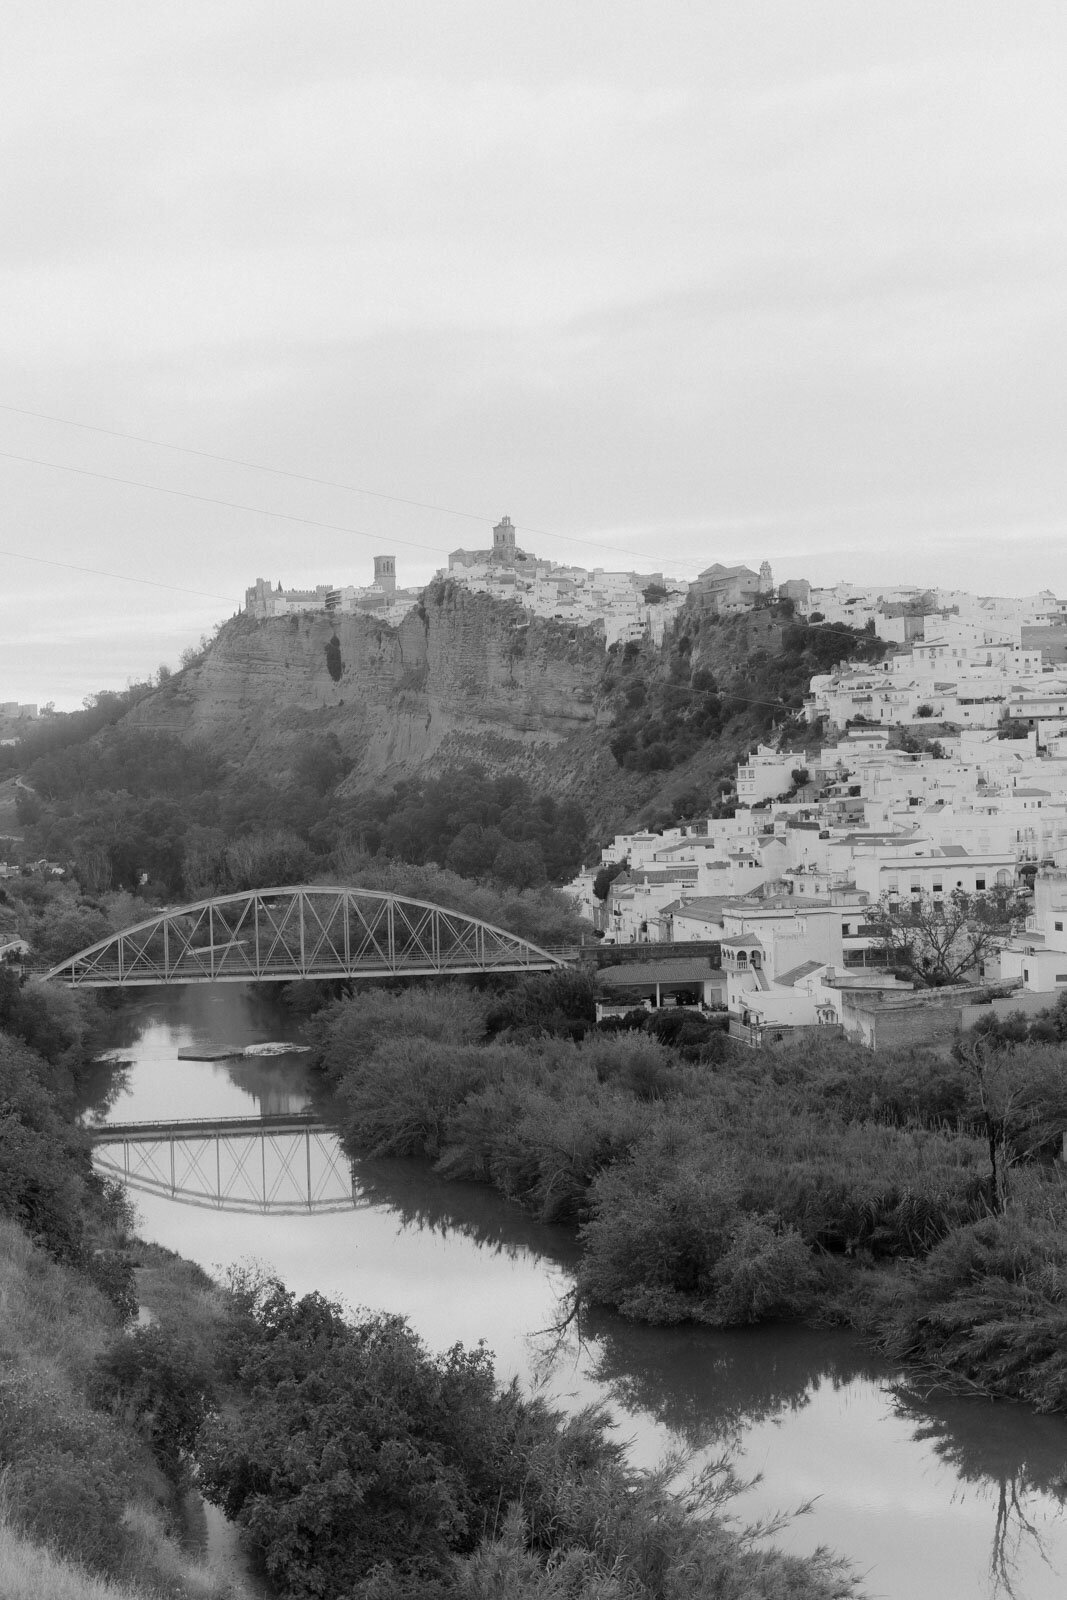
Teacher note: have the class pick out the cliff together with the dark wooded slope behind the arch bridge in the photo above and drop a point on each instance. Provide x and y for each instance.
(186, 806)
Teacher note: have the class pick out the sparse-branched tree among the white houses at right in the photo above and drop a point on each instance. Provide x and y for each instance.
(943, 940)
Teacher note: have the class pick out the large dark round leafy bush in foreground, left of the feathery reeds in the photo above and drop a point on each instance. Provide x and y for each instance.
(351, 1447)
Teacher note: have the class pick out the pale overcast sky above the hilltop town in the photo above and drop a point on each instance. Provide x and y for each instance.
(669, 284)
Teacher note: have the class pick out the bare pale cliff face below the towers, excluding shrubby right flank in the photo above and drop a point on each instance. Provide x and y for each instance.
(462, 678)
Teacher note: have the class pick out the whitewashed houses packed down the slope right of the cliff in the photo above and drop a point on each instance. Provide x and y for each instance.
(900, 873)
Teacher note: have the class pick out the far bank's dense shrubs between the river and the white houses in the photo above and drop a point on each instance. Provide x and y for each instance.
(911, 1199)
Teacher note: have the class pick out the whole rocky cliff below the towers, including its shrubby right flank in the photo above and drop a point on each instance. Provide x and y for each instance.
(636, 735)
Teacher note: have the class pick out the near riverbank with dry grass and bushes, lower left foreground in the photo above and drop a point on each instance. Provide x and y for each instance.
(103, 1422)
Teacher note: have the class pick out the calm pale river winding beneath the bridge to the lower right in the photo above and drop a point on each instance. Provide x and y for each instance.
(932, 1498)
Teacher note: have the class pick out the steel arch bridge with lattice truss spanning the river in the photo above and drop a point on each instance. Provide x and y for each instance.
(306, 932)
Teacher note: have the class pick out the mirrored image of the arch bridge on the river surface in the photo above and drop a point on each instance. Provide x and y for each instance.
(279, 1166)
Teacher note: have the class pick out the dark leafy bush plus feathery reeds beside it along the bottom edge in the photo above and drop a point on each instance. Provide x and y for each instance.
(364, 1466)
